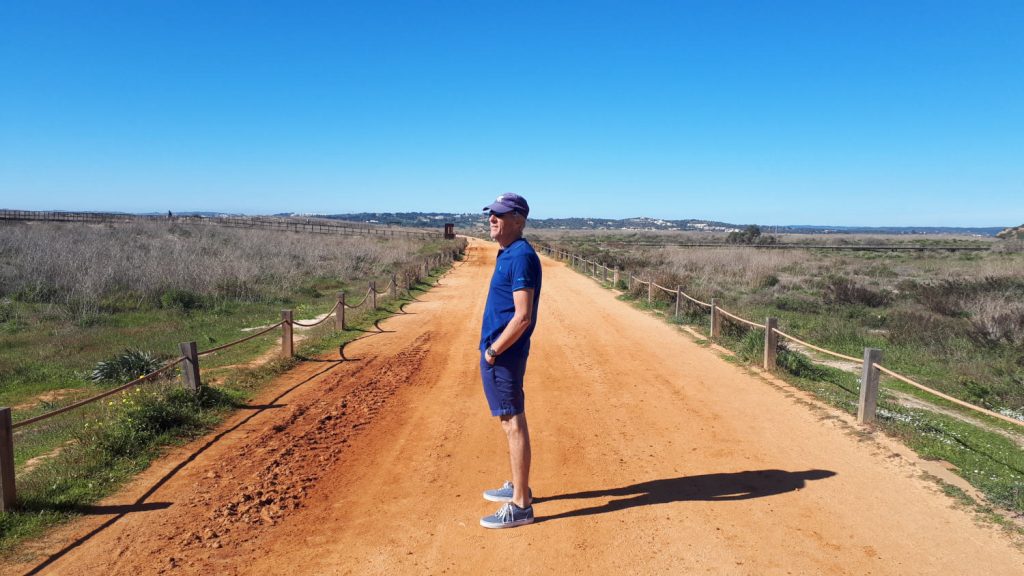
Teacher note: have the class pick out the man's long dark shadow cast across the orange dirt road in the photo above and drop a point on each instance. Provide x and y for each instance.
(712, 487)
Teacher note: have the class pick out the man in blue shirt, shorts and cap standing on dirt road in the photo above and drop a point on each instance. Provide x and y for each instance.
(509, 318)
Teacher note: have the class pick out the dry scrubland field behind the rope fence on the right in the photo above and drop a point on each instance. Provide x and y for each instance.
(947, 317)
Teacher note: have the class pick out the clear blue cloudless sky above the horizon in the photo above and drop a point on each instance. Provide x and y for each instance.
(830, 113)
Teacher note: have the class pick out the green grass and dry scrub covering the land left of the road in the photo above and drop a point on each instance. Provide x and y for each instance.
(87, 308)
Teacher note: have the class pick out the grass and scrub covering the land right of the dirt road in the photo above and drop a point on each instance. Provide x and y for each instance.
(953, 321)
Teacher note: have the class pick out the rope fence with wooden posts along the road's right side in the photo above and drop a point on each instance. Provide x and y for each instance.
(871, 364)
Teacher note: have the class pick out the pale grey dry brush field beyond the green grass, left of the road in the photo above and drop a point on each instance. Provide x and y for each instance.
(102, 268)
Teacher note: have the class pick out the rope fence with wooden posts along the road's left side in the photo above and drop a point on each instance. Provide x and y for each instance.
(190, 364)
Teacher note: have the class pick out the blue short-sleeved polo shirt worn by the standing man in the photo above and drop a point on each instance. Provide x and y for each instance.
(518, 268)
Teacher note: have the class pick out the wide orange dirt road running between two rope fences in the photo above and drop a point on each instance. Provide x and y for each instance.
(652, 456)
